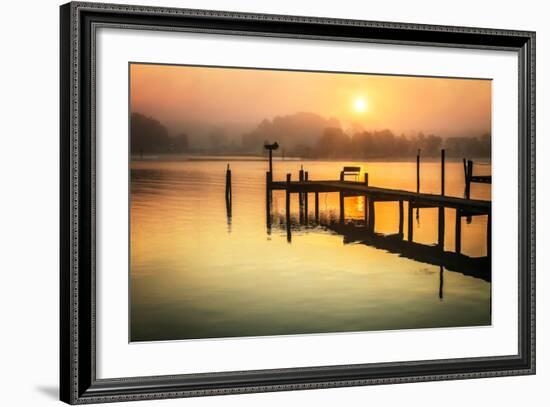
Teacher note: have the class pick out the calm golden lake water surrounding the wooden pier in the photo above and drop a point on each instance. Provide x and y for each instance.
(198, 273)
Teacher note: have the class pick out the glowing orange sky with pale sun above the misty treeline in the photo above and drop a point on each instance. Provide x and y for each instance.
(402, 104)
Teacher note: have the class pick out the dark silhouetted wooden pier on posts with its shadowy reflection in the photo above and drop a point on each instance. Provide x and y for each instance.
(395, 243)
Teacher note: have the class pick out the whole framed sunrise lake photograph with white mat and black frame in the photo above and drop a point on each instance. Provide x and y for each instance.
(255, 203)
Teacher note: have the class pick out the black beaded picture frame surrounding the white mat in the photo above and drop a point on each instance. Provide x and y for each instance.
(78, 382)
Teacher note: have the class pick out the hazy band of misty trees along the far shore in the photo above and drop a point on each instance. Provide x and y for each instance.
(305, 135)
